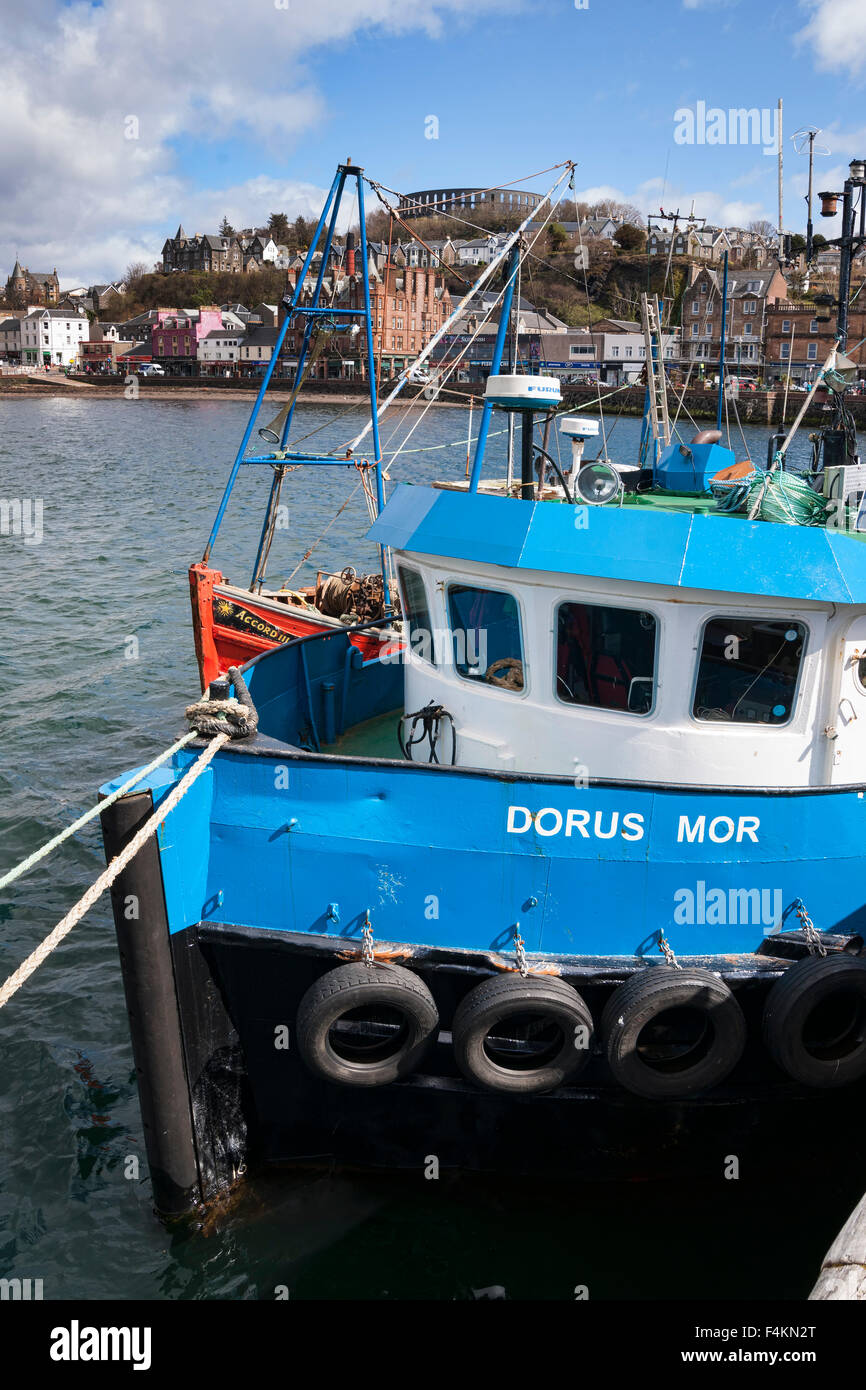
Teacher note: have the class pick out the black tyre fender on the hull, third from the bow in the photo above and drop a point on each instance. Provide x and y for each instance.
(671, 1033)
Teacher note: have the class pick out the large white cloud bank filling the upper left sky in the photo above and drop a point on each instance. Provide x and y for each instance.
(83, 197)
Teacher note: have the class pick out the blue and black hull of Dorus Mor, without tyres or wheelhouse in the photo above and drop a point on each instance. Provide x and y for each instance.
(265, 876)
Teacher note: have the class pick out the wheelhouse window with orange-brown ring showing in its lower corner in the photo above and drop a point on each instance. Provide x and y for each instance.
(486, 636)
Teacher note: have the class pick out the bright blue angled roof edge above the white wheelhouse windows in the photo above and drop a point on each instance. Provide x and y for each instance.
(686, 550)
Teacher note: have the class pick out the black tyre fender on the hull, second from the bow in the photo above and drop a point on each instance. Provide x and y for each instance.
(522, 1035)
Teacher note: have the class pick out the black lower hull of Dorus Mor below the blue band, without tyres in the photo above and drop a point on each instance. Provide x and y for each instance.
(219, 1097)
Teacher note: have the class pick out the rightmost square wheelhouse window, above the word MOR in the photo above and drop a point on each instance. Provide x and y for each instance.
(749, 671)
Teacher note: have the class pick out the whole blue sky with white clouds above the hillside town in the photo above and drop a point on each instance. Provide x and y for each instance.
(247, 109)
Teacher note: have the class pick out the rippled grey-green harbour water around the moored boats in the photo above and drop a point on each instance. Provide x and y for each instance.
(98, 664)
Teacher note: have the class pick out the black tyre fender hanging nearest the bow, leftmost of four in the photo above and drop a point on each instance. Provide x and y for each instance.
(366, 1025)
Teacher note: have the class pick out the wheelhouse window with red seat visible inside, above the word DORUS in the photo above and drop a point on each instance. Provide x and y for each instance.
(607, 657)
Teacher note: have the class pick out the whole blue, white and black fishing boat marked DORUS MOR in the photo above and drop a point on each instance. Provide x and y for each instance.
(565, 881)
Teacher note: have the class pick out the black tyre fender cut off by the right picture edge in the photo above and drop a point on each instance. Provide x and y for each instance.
(815, 1021)
